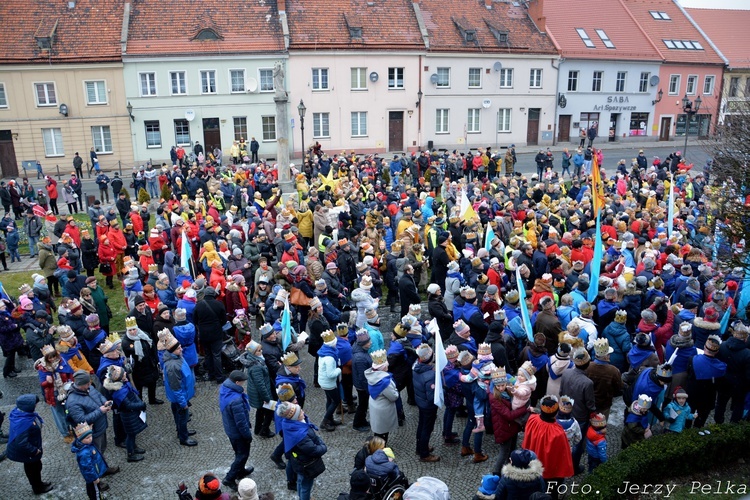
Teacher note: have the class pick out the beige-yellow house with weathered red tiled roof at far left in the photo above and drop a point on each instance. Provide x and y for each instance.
(61, 85)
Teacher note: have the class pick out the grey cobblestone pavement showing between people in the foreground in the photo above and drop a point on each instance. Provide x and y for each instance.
(167, 463)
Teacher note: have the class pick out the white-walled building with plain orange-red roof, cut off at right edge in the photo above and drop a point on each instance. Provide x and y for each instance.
(727, 29)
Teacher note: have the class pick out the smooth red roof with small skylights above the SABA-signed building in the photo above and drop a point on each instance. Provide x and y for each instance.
(564, 17)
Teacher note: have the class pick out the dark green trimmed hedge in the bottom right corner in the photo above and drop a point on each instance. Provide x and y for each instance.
(666, 456)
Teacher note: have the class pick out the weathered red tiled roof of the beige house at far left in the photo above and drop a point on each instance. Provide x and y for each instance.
(88, 32)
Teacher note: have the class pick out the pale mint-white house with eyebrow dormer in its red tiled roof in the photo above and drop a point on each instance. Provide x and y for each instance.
(202, 75)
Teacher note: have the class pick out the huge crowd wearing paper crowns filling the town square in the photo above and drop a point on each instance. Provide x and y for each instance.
(229, 255)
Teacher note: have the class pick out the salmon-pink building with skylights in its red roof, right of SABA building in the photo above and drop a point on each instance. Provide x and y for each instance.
(691, 67)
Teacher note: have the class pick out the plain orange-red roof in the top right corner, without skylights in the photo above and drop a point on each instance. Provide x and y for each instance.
(728, 30)
